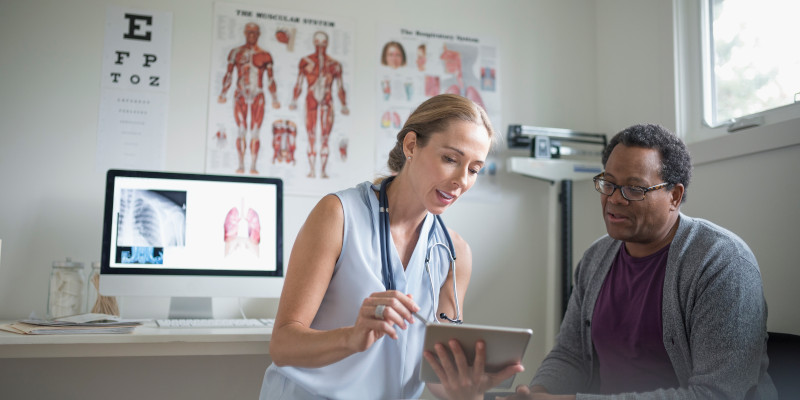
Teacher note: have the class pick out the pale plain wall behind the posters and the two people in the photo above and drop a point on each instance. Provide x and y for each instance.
(580, 64)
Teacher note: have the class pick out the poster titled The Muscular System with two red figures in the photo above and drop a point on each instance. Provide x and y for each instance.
(278, 97)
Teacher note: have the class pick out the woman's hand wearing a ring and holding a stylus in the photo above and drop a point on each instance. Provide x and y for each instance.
(379, 315)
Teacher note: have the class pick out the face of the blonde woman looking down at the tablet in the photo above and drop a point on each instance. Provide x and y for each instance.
(448, 165)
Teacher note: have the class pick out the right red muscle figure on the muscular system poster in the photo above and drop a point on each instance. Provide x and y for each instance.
(320, 71)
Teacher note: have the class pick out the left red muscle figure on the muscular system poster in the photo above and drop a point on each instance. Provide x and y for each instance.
(250, 63)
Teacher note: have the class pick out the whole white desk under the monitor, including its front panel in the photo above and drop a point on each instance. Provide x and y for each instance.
(151, 362)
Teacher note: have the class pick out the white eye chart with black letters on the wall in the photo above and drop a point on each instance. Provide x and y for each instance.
(134, 90)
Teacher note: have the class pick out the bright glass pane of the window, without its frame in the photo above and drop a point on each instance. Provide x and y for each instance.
(751, 57)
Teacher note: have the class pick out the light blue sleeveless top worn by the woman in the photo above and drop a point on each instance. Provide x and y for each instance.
(389, 369)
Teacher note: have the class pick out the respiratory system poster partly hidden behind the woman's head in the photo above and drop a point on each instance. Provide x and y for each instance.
(416, 64)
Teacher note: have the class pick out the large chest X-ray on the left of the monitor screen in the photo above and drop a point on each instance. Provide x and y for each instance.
(151, 218)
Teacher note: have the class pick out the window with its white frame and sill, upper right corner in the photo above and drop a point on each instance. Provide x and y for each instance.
(737, 65)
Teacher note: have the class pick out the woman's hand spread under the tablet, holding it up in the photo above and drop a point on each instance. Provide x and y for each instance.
(458, 378)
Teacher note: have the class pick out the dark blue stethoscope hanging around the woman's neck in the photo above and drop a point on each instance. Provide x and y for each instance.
(386, 270)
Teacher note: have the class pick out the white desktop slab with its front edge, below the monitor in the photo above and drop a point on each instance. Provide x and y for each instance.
(146, 340)
